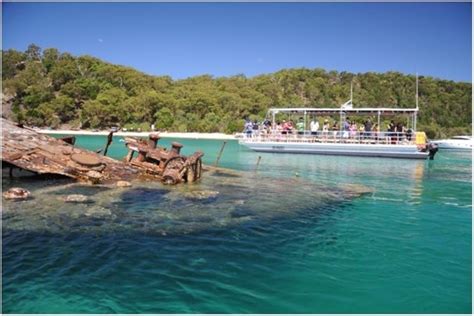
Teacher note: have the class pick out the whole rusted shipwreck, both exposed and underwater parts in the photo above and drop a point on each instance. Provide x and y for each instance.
(97, 203)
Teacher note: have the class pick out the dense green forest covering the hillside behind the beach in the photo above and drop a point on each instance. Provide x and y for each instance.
(50, 88)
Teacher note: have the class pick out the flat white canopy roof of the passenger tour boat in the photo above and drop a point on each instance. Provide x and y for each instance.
(347, 110)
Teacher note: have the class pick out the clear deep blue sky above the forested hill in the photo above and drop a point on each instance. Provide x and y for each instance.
(224, 39)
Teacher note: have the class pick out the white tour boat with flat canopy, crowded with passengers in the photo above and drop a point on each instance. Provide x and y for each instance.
(410, 144)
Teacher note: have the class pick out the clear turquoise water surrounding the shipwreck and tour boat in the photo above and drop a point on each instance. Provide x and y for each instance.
(291, 237)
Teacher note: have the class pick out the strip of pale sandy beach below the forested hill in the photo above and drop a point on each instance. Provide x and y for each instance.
(219, 136)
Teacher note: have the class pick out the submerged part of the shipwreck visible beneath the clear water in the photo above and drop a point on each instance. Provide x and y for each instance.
(220, 201)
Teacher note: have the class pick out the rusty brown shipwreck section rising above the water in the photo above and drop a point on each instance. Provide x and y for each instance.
(26, 149)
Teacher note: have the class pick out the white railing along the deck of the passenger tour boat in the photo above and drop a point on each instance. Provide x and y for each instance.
(347, 137)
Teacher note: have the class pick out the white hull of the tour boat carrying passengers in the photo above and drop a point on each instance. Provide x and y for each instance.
(342, 149)
